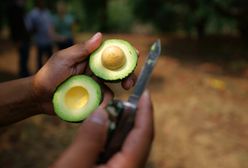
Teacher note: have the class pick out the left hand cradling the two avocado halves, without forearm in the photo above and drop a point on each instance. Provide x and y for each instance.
(63, 64)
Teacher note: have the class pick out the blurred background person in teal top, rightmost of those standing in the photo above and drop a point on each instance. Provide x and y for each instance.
(63, 24)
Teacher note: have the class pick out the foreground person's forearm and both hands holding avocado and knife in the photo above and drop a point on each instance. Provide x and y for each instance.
(34, 97)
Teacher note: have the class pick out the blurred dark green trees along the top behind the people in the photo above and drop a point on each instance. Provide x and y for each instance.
(198, 17)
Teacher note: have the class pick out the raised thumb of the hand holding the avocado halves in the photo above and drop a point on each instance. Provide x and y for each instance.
(80, 51)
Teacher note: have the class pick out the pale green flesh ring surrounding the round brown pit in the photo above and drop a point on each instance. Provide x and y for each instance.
(100, 70)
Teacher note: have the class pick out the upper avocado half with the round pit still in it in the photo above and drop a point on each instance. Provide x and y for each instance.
(114, 60)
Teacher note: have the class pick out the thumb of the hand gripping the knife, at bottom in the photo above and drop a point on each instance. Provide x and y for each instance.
(88, 144)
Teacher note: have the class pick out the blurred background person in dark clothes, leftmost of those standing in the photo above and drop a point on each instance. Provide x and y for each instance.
(19, 33)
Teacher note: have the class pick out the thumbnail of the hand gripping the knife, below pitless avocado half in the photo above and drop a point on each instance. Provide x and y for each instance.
(99, 117)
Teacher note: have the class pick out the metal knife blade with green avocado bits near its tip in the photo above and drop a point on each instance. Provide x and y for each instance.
(145, 73)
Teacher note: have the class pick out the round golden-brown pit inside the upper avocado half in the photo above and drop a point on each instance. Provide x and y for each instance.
(113, 57)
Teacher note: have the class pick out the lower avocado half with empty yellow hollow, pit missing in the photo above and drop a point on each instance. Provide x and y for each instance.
(76, 98)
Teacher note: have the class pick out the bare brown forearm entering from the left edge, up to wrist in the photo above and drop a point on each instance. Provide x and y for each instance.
(17, 101)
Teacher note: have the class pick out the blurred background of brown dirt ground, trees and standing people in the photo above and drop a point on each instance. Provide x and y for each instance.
(199, 86)
